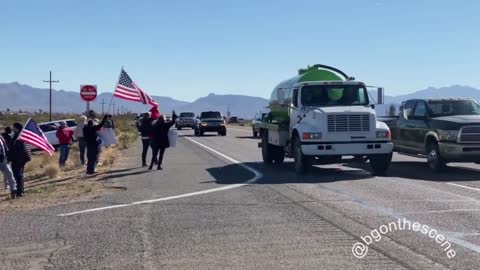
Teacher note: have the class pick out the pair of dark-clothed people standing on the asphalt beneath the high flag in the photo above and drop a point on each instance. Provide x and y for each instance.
(154, 133)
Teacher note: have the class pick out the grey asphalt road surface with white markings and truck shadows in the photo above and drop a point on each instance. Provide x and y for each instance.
(216, 206)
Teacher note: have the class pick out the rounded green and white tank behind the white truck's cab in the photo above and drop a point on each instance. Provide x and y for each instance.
(279, 113)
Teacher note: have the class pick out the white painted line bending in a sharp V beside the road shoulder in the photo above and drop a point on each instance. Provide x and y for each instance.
(257, 176)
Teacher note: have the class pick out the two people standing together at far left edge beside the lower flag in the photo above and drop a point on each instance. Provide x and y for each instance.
(14, 155)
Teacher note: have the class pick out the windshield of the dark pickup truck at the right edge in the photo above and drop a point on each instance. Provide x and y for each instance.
(453, 107)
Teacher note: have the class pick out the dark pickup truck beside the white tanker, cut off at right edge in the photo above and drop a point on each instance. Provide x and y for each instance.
(443, 130)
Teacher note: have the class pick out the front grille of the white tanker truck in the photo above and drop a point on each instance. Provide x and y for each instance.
(348, 122)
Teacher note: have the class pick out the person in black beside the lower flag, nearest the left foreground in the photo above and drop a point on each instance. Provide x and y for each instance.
(19, 155)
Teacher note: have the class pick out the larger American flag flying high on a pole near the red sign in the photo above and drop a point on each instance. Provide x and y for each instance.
(127, 89)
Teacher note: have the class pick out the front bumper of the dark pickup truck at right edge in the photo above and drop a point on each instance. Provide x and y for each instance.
(460, 152)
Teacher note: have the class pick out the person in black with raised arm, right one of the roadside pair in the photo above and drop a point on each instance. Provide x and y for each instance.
(159, 139)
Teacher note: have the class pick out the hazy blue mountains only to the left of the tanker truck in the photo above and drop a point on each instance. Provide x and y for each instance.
(16, 96)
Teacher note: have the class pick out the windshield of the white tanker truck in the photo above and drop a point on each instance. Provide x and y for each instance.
(334, 95)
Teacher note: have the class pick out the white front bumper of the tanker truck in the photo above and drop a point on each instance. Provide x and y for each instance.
(347, 149)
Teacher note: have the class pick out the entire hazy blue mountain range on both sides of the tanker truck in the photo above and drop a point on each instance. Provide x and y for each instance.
(16, 96)
